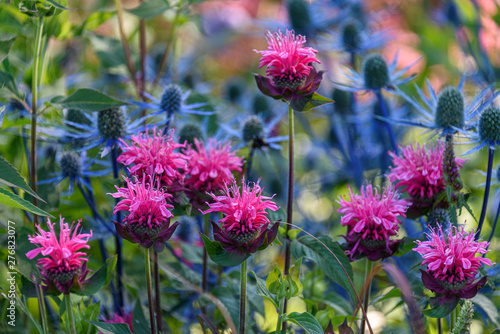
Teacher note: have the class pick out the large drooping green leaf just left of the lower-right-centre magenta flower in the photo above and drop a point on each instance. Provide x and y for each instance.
(313, 249)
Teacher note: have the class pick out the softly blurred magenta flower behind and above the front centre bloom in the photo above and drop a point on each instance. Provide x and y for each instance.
(209, 169)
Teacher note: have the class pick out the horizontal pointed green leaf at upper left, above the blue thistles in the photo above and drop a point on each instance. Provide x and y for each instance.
(88, 100)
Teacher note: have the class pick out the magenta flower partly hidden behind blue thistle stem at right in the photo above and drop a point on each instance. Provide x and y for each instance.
(419, 172)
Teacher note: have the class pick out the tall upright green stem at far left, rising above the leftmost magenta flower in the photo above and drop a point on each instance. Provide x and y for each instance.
(34, 90)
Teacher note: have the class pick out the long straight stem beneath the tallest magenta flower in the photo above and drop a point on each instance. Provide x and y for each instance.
(289, 211)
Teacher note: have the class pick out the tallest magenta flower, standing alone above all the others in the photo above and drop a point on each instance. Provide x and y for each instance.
(291, 76)
